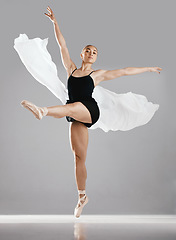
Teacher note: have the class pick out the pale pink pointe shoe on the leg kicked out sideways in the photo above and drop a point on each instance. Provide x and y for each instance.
(37, 111)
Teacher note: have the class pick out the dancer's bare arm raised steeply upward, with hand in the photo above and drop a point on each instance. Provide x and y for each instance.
(66, 60)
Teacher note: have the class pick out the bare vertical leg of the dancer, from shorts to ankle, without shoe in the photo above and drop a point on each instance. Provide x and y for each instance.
(79, 144)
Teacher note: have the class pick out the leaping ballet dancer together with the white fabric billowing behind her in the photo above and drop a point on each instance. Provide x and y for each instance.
(88, 105)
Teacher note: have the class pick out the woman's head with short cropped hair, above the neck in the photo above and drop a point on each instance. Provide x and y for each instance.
(89, 54)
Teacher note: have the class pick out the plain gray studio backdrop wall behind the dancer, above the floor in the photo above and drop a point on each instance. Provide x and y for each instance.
(130, 172)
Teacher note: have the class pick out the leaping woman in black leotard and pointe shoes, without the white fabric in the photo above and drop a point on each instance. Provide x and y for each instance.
(81, 109)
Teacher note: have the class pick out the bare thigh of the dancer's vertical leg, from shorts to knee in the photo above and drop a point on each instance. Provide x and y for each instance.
(79, 139)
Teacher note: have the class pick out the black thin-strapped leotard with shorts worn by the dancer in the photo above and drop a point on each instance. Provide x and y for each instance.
(80, 89)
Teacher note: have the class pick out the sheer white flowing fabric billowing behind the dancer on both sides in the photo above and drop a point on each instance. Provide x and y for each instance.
(117, 111)
